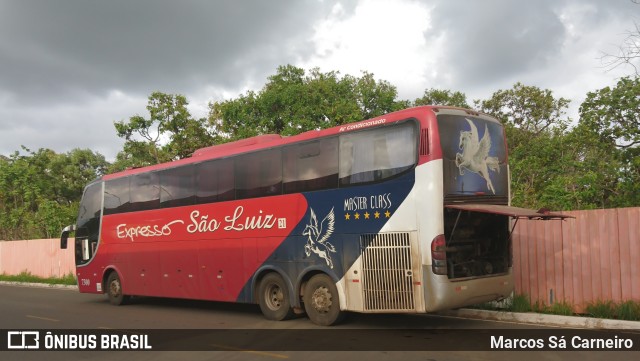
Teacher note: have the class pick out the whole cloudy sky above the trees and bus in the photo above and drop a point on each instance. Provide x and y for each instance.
(70, 68)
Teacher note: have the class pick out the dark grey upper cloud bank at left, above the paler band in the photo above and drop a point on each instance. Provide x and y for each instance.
(140, 46)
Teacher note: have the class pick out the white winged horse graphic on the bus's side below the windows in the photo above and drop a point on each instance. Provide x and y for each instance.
(318, 234)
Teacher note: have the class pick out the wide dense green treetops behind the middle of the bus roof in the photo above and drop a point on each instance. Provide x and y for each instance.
(294, 101)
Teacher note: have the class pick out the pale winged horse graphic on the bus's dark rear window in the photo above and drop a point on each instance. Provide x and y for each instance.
(475, 154)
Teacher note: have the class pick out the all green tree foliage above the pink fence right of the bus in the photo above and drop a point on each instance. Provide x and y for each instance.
(592, 165)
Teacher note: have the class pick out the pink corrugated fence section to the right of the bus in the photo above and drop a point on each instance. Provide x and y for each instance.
(591, 258)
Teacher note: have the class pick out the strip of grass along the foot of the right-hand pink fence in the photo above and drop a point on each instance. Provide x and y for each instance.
(628, 310)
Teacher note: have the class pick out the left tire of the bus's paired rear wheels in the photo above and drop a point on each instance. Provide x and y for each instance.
(273, 297)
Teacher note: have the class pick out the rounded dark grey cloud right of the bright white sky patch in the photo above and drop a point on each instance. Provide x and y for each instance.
(487, 41)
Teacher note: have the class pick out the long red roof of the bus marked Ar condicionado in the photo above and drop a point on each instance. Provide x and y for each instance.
(274, 140)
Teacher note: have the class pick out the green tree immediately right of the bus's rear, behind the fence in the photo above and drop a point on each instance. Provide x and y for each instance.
(536, 129)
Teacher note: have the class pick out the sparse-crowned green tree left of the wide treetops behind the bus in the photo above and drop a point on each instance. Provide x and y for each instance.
(169, 133)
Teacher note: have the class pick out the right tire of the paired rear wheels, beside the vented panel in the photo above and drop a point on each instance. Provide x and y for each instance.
(321, 301)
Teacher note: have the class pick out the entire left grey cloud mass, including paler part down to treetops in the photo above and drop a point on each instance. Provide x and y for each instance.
(59, 59)
